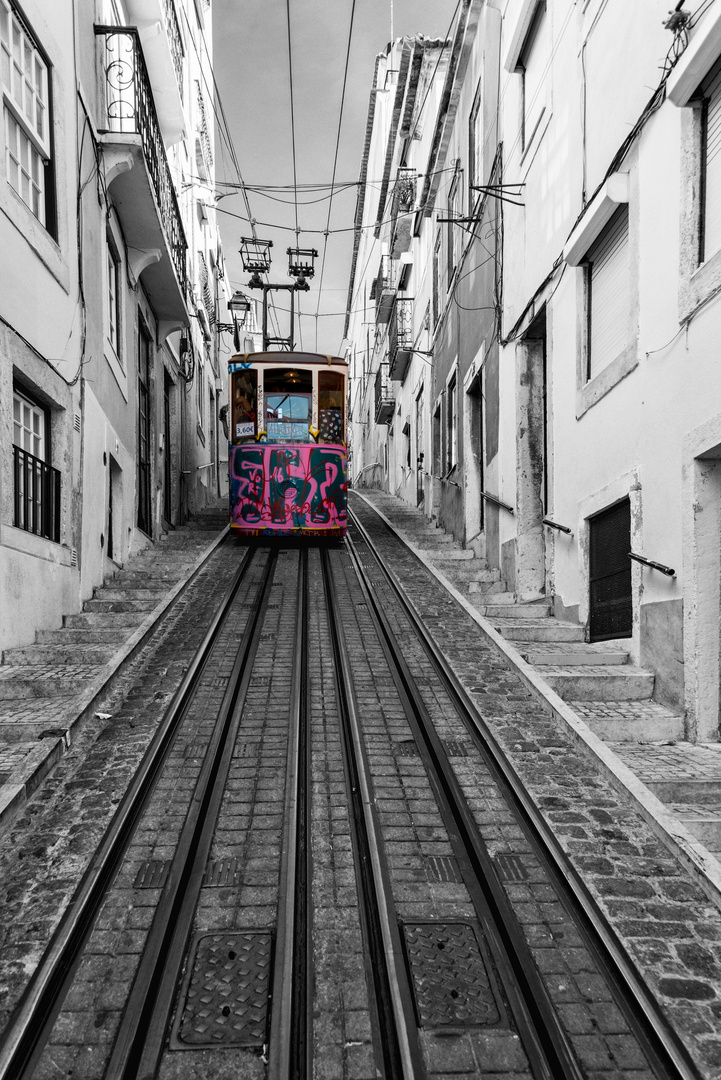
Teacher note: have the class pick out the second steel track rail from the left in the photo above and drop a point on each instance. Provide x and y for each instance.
(141, 1039)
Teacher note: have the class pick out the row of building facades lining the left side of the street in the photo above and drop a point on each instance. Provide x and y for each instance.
(111, 385)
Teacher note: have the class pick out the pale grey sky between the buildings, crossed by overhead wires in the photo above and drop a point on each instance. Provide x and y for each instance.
(253, 64)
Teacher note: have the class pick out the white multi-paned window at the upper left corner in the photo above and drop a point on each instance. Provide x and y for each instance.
(26, 114)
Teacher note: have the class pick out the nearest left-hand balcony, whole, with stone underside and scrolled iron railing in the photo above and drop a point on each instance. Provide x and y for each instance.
(139, 177)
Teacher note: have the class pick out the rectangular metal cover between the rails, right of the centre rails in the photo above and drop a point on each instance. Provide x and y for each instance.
(451, 977)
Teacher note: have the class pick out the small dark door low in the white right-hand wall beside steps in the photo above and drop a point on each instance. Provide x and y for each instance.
(610, 607)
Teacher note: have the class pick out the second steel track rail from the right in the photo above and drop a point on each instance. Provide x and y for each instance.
(547, 1045)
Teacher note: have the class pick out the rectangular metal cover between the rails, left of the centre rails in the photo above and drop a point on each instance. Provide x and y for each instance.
(226, 992)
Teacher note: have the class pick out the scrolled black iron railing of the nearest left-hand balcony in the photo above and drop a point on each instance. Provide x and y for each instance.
(130, 111)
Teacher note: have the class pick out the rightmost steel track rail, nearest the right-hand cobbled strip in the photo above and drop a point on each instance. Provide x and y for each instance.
(669, 1055)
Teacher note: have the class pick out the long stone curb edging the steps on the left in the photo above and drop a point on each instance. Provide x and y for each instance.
(35, 767)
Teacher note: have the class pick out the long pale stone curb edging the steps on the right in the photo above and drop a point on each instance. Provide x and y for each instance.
(705, 869)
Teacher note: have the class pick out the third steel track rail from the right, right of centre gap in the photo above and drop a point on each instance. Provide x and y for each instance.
(400, 1052)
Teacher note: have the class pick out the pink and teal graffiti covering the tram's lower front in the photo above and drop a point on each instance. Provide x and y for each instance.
(280, 489)
